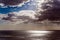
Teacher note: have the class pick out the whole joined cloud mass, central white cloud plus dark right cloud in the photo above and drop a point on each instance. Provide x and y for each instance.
(44, 11)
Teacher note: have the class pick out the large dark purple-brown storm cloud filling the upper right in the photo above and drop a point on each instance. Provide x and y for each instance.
(52, 11)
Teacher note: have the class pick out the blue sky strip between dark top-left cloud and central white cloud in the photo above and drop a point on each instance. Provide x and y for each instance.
(26, 6)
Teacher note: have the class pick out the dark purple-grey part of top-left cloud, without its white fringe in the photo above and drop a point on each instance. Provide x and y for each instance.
(12, 2)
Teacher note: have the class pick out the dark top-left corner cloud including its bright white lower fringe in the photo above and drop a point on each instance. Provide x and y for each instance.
(13, 3)
